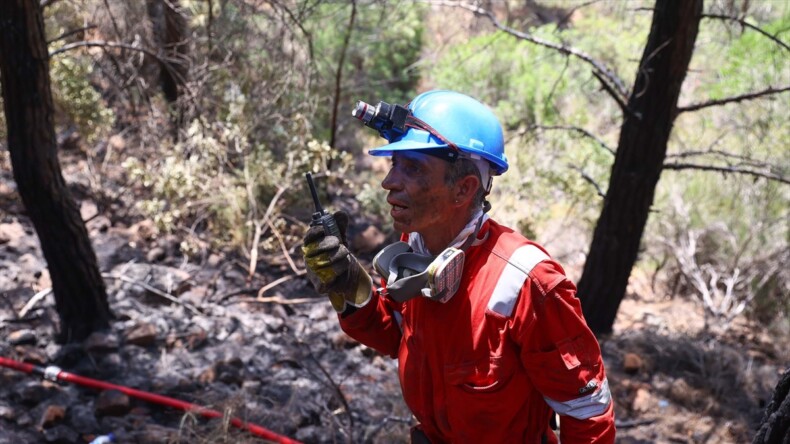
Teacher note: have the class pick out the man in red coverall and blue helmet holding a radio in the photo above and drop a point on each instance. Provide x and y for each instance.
(487, 329)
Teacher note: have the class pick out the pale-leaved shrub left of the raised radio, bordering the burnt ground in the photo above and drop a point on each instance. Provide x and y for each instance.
(194, 184)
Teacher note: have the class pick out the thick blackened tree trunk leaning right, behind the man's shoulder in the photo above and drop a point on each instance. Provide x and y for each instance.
(649, 116)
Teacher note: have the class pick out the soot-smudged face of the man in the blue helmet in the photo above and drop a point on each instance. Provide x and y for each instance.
(420, 199)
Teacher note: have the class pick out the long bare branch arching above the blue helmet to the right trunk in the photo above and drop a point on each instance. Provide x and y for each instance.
(567, 50)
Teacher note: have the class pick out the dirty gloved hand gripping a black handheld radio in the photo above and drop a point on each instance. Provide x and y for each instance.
(333, 270)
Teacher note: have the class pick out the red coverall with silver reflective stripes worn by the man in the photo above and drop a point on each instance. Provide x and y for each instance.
(491, 364)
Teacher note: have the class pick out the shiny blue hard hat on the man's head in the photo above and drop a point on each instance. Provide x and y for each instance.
(447, 119)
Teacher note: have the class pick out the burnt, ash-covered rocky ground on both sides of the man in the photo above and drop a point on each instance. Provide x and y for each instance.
(199, 332)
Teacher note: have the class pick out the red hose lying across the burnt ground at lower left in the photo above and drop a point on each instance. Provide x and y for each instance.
(145, 396)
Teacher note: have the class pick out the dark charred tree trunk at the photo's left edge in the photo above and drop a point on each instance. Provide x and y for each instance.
(80, 294)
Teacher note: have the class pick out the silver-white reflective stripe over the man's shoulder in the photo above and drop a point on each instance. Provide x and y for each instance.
(508, 287)
